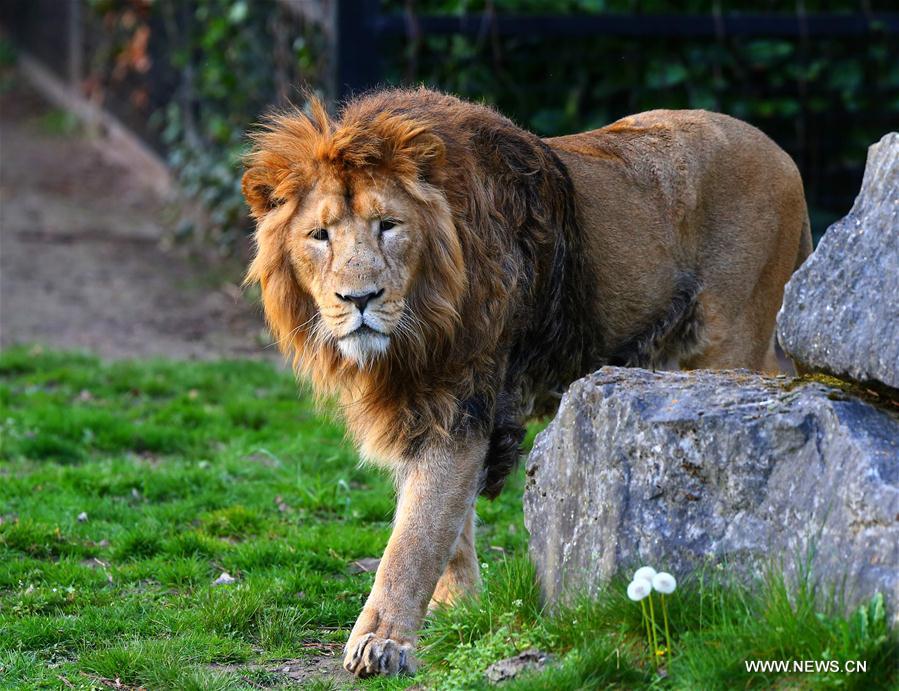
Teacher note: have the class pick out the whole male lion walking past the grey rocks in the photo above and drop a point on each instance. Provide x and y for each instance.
(446, 274)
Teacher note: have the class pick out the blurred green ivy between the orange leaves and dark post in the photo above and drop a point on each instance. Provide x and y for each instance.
(225, 53)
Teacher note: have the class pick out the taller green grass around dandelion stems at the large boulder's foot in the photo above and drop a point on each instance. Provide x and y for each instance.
(716, 625)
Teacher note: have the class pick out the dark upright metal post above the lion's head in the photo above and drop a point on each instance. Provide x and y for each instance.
(358, 65)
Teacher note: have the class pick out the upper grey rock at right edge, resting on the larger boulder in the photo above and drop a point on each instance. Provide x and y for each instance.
(841, 308)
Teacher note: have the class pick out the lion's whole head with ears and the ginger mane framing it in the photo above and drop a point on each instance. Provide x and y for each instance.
(358, 258)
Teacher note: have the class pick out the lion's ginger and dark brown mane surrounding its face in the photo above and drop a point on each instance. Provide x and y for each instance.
(500, 288)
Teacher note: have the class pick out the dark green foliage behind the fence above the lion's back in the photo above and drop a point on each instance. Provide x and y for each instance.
(825, 100)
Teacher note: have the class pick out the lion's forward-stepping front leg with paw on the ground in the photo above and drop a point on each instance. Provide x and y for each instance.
(437, 493)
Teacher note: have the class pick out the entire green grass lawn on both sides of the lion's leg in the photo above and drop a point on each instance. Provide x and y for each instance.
(188, 470)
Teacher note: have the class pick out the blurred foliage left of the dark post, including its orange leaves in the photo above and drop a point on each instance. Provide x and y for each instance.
(205, 71)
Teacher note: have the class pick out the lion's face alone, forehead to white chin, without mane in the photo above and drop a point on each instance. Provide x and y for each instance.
(355, 250)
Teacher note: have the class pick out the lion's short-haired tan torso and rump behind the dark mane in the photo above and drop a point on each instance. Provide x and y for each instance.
(668, 193)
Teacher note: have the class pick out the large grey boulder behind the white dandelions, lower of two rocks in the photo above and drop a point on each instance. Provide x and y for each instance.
(674, 468)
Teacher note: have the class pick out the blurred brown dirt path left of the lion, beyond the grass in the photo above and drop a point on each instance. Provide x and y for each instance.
(82, 258)
